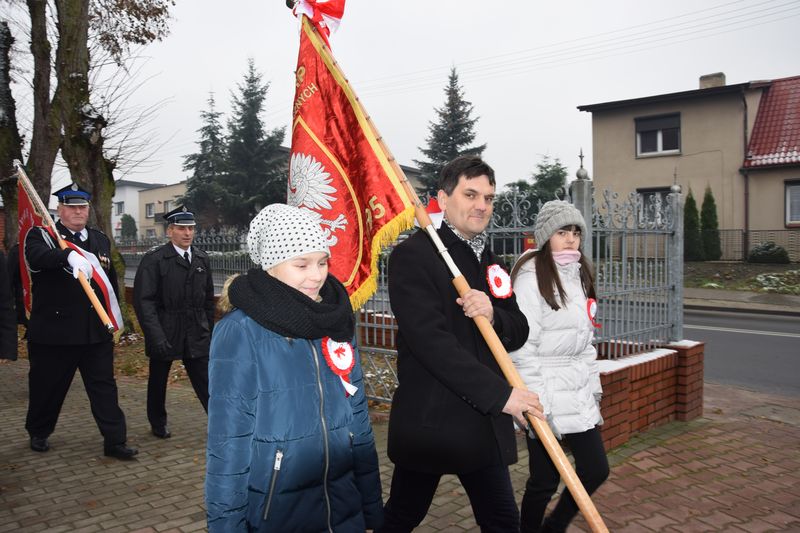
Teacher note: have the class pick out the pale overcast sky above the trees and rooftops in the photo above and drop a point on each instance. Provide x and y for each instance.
(524, 65)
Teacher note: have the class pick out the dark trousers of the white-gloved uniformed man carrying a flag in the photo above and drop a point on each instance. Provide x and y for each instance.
(52, 368)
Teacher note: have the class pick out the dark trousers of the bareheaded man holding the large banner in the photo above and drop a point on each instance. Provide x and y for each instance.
(489, 490)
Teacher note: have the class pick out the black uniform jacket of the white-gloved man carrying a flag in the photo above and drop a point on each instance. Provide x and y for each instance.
(61, 313)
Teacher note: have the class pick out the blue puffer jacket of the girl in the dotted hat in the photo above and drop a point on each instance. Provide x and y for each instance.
(287, 450)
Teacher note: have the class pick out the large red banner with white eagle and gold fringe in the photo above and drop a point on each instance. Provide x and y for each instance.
(341, 171)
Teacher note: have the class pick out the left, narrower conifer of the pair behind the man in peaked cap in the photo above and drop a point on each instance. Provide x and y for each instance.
(205, 194)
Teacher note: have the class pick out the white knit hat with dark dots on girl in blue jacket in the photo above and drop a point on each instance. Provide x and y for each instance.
(280, 232)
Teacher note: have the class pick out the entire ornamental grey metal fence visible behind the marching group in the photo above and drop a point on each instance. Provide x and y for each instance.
(637, 250)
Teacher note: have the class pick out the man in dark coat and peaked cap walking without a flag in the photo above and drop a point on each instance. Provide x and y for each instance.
(173, 294)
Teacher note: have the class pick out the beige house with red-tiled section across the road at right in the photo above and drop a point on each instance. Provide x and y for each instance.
(741, 140)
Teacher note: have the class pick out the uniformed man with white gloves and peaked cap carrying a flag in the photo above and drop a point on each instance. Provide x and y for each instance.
(65, 333)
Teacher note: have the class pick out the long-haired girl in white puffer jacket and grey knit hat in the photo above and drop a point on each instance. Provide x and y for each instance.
(554, 286)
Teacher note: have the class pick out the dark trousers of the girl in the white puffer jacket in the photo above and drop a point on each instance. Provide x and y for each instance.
(591, 465)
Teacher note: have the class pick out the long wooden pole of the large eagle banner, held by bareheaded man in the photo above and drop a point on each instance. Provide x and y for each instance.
(510, 372)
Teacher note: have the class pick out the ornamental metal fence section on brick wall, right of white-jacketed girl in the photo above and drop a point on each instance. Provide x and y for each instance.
(637, 247)
